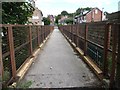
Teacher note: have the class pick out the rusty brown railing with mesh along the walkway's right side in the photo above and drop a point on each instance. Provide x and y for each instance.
(98, 41)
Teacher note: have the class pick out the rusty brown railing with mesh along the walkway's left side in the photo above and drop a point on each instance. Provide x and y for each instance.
(19, 42)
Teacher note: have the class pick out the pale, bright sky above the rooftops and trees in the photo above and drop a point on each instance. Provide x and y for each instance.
(55, 7)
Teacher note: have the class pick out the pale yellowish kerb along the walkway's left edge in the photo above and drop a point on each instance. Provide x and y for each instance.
(26, 65)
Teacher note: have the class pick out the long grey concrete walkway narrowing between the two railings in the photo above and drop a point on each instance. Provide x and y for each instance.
(58, 66)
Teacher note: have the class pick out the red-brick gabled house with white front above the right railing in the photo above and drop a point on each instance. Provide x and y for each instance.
(93, 15)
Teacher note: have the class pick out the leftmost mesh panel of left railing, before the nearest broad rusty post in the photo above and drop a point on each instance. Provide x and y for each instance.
(6, 55)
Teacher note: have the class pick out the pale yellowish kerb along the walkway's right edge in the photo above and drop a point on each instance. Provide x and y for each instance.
(86, 59)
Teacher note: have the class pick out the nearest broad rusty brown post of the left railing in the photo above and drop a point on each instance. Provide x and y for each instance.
(12, 53)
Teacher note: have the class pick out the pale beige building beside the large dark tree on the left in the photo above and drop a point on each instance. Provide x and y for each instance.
(37, 17)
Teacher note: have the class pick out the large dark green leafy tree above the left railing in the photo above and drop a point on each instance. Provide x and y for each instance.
(16, 12)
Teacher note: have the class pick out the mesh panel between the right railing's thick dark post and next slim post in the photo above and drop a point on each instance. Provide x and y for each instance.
(95, 35)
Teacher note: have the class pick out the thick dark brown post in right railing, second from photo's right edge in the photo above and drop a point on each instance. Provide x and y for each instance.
(106, 45)
